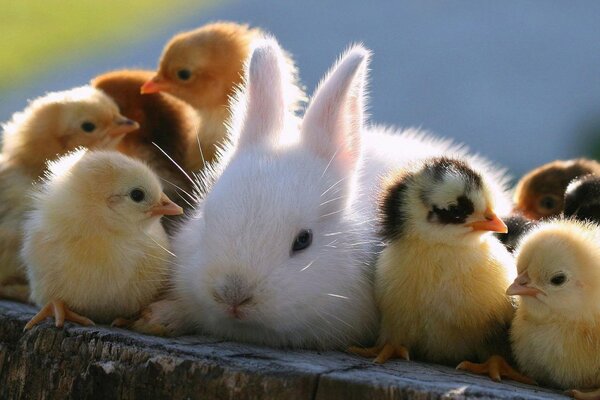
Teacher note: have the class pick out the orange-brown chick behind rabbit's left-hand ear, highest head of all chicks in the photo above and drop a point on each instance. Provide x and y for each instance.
(203, 67)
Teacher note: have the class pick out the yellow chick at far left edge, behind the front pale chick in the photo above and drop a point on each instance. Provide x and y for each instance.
(50, 126)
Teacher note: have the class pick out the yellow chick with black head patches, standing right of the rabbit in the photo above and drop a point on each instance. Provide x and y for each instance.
(440, 283)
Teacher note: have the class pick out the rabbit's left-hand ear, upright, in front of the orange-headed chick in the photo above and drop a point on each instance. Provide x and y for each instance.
(265, 94)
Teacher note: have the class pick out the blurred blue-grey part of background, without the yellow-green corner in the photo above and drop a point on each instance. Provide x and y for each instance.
(515, 80)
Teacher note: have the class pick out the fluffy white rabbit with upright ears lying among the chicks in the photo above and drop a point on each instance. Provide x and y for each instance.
(280, 249)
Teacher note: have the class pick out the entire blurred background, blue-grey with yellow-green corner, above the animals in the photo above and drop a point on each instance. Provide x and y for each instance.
(518, 81)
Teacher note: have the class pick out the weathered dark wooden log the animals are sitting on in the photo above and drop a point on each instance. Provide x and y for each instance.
(108, 363)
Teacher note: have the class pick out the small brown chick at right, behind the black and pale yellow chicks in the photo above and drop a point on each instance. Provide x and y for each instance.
(540, 193)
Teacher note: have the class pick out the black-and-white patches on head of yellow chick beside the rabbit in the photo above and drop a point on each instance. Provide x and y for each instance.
(435, 182)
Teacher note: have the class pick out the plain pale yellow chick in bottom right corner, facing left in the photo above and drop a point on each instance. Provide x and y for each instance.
(556, 331)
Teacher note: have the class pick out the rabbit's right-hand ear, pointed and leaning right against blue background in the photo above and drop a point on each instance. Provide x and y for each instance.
(334, 119)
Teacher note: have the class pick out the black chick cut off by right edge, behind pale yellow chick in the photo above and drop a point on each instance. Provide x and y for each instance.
(582, 199)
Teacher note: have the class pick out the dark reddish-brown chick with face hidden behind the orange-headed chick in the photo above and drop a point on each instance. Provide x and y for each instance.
(167, 130)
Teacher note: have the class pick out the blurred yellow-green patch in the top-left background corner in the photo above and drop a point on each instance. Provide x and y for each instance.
(35, 34)
